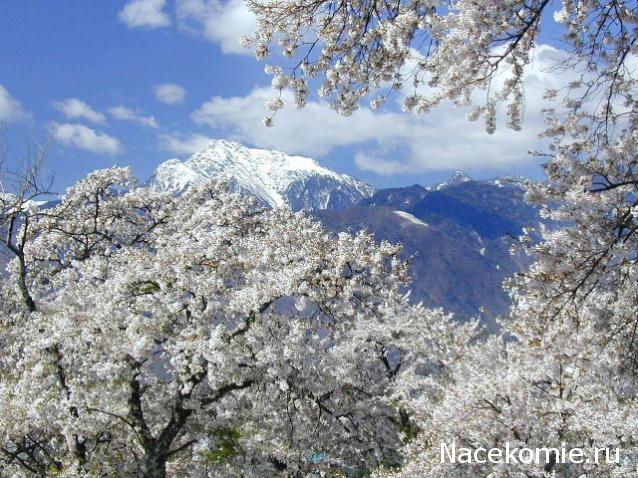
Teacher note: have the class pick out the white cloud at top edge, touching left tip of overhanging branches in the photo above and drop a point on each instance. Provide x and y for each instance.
(220, 21)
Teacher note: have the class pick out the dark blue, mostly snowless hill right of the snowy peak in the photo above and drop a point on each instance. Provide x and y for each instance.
(457, 236)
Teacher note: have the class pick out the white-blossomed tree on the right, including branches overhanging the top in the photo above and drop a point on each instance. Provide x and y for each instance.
(564, 369)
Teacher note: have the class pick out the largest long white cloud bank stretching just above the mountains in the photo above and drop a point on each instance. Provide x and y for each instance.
(389, 142)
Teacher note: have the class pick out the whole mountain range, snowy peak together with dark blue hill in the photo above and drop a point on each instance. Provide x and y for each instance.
(457, 235)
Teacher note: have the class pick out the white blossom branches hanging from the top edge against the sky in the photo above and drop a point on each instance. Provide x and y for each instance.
(442, 50)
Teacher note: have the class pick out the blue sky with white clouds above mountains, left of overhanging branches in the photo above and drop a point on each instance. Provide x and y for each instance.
(88, 72)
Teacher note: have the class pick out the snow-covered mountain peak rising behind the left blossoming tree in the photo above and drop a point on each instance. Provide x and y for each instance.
(274, 178)
